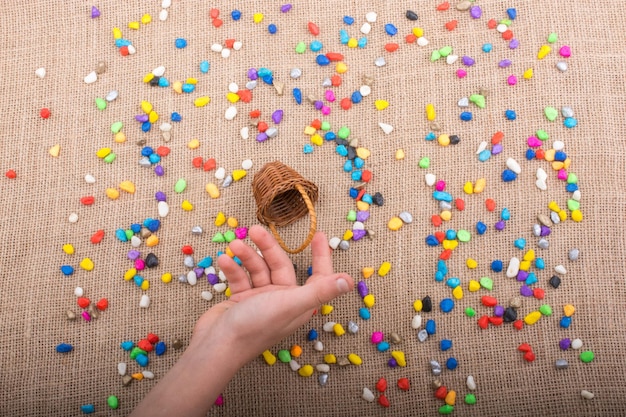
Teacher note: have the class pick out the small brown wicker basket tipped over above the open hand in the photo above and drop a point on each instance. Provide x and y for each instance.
(282, 197)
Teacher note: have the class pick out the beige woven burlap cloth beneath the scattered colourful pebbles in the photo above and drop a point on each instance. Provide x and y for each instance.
(34, 209)
